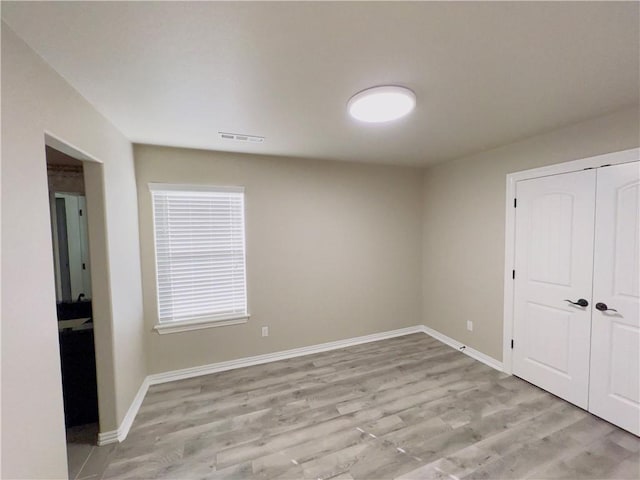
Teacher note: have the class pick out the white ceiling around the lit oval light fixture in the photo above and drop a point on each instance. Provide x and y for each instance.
(485, 74)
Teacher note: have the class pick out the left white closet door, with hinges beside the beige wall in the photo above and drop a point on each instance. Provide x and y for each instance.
(554, 265)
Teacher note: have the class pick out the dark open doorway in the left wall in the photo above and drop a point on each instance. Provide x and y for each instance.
(71, 254)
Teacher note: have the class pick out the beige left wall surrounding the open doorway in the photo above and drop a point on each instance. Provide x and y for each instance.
(36, 100)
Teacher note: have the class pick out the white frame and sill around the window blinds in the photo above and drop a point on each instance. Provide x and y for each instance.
(207, 322)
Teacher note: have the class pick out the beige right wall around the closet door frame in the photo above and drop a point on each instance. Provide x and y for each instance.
(464, 217)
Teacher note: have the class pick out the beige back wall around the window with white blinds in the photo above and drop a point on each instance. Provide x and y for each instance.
(333, 251)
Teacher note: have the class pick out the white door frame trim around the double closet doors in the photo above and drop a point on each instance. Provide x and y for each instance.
(614, 158)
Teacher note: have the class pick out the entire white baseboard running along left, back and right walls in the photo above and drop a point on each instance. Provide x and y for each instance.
(120, 434)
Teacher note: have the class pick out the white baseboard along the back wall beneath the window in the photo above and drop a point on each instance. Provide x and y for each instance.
(275, 356)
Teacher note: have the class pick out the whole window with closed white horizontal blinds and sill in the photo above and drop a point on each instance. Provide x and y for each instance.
(200, 256)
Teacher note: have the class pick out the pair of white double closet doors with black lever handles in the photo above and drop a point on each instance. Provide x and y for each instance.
(576, 292)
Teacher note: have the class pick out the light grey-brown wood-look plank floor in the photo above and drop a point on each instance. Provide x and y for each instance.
(409, 407)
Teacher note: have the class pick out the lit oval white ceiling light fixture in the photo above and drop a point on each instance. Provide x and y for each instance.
(381, 104)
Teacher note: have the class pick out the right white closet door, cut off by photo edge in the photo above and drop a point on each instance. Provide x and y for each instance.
(614, 392)
